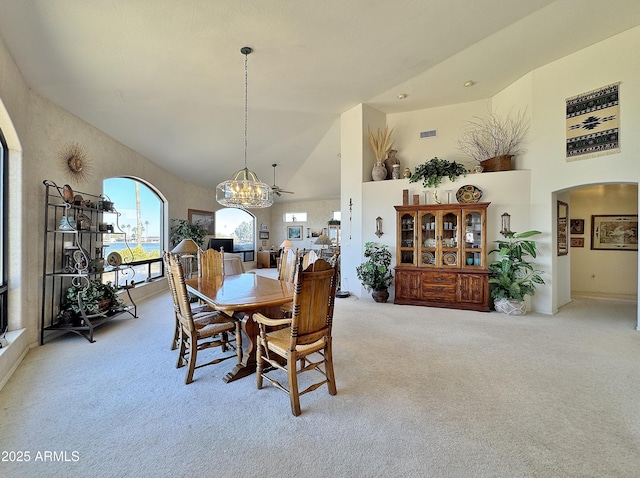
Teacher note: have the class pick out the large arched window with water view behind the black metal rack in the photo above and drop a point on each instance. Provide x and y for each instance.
(138, 229)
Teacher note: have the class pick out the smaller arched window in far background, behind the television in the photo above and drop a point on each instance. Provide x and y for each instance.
(239, 225)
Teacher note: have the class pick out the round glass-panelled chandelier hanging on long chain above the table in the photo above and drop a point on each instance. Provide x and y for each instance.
(244, 190)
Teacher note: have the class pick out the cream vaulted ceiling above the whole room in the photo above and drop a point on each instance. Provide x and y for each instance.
(166, 77)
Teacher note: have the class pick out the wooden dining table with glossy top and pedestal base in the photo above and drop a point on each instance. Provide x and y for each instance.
(241, 296)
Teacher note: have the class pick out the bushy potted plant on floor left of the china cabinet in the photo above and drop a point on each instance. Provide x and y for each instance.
(375, 272)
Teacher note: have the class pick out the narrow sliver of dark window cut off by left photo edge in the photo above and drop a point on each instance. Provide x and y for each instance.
(4, 231)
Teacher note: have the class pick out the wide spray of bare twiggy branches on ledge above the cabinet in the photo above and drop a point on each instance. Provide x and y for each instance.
(487, 137)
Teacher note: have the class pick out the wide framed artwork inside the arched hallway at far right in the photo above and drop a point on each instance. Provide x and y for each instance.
(614, 233)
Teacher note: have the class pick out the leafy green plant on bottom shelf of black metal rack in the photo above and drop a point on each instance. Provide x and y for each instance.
(96, 297)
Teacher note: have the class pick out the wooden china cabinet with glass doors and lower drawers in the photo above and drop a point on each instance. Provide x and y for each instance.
(441, 254)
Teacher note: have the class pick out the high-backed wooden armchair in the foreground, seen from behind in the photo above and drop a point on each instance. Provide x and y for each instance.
(305, 343)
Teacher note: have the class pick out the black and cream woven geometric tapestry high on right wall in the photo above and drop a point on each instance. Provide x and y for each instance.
(593, 123)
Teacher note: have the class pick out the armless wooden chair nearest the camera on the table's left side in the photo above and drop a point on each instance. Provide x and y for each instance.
(216, 330)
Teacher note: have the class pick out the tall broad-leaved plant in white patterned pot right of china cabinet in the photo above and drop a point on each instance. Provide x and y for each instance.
(511, 276)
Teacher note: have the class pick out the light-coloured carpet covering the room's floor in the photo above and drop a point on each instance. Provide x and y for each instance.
(421, 392)
